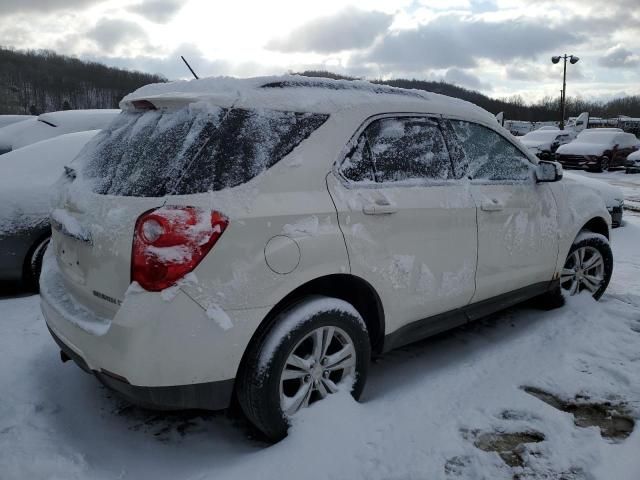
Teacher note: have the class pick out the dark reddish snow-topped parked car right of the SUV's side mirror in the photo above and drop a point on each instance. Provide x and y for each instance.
(598, 149)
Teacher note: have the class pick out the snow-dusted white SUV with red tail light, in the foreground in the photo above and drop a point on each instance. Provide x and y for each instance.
(263, 237)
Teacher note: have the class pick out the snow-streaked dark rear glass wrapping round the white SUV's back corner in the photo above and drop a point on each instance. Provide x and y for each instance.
(193, 150)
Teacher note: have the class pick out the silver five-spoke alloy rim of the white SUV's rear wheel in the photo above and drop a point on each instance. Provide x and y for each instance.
(316, 365)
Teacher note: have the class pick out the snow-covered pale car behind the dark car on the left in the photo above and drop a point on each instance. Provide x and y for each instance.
(53, 124)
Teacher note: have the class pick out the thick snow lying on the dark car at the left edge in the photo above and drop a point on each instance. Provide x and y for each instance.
(29, 174)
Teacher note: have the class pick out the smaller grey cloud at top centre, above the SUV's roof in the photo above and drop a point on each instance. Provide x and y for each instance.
(348, 29)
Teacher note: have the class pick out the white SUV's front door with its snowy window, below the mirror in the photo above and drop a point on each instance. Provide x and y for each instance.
(517, 217)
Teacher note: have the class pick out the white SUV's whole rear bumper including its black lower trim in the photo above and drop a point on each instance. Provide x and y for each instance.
(164, 354)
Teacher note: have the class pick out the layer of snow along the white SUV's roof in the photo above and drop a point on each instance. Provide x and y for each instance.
(299, 93)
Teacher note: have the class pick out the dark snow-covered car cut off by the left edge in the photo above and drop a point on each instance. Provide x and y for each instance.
(28, 175)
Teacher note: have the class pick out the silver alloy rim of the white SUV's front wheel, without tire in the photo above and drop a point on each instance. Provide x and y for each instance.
(584, 269)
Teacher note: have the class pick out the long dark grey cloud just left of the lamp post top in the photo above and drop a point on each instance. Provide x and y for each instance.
(454, 41)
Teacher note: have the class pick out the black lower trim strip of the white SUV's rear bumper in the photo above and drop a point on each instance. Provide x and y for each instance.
(205, 396)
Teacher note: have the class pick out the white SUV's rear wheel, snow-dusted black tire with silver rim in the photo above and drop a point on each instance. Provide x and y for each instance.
(296, 335)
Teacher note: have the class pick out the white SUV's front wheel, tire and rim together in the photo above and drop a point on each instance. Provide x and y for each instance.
(589, 265)
